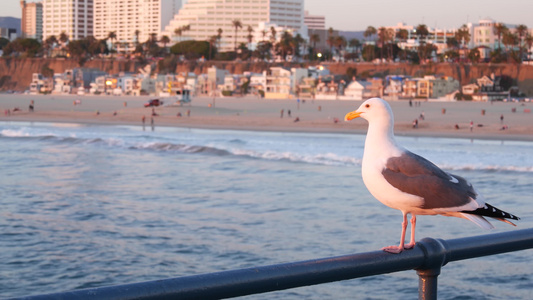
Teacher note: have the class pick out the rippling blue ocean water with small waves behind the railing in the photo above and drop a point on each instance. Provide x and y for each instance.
(86, 206)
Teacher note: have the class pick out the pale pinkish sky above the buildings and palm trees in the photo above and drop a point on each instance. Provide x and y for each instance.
(355, 15)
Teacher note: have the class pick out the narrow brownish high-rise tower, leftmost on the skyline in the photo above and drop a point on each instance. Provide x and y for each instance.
(31, 23)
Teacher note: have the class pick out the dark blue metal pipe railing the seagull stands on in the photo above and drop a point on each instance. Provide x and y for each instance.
(426, 258)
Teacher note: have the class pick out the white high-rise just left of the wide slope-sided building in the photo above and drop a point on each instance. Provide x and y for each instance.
(125, 17)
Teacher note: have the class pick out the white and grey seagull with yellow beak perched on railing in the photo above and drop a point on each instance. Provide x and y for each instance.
(412, 184)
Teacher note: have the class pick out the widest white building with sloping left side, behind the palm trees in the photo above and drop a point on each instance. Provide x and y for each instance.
(205, 17)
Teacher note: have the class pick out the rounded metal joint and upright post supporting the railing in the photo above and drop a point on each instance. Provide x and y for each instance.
(436, 256)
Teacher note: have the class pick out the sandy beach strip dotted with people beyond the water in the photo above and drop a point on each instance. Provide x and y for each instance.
(251, 113)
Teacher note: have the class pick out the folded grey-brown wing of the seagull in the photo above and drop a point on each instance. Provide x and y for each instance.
(416, 175)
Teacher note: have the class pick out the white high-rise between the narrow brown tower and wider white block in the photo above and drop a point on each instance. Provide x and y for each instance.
(74, 17)
